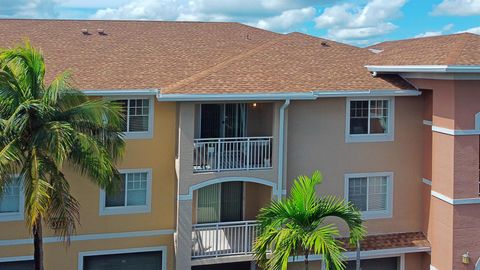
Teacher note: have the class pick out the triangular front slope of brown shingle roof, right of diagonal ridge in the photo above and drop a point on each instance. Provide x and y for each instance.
(291, 63)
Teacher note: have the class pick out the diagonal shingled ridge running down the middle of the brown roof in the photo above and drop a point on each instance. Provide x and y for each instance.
(204, 73)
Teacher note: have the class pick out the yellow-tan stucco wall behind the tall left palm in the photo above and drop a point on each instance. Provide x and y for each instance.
(157, 154)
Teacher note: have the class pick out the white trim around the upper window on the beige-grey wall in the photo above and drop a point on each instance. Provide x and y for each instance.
(389, 136)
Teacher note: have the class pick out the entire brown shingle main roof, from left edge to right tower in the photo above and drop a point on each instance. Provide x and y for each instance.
(195, 57)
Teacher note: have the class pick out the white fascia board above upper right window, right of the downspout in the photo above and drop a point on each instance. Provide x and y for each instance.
(367, 93)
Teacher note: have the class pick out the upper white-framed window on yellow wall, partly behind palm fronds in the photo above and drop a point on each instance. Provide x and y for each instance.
(138, 117)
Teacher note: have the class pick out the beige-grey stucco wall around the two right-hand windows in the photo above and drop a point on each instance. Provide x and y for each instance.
(316, 141)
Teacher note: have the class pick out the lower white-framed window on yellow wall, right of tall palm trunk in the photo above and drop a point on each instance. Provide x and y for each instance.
(133, 195)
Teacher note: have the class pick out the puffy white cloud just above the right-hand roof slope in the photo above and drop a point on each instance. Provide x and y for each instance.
(347, 22)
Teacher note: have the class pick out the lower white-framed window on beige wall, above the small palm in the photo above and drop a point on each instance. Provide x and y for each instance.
(371, 193)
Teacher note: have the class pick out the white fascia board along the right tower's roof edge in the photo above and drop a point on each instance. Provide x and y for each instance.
(425, 68)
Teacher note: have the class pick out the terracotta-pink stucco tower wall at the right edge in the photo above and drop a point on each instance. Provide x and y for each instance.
(452, 228)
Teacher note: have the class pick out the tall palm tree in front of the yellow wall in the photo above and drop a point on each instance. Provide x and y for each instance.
(43, 129)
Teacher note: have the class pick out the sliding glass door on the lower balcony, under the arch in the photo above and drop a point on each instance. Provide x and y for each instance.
(220, 203)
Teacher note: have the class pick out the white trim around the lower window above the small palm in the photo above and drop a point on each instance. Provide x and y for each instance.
(388, 212)
